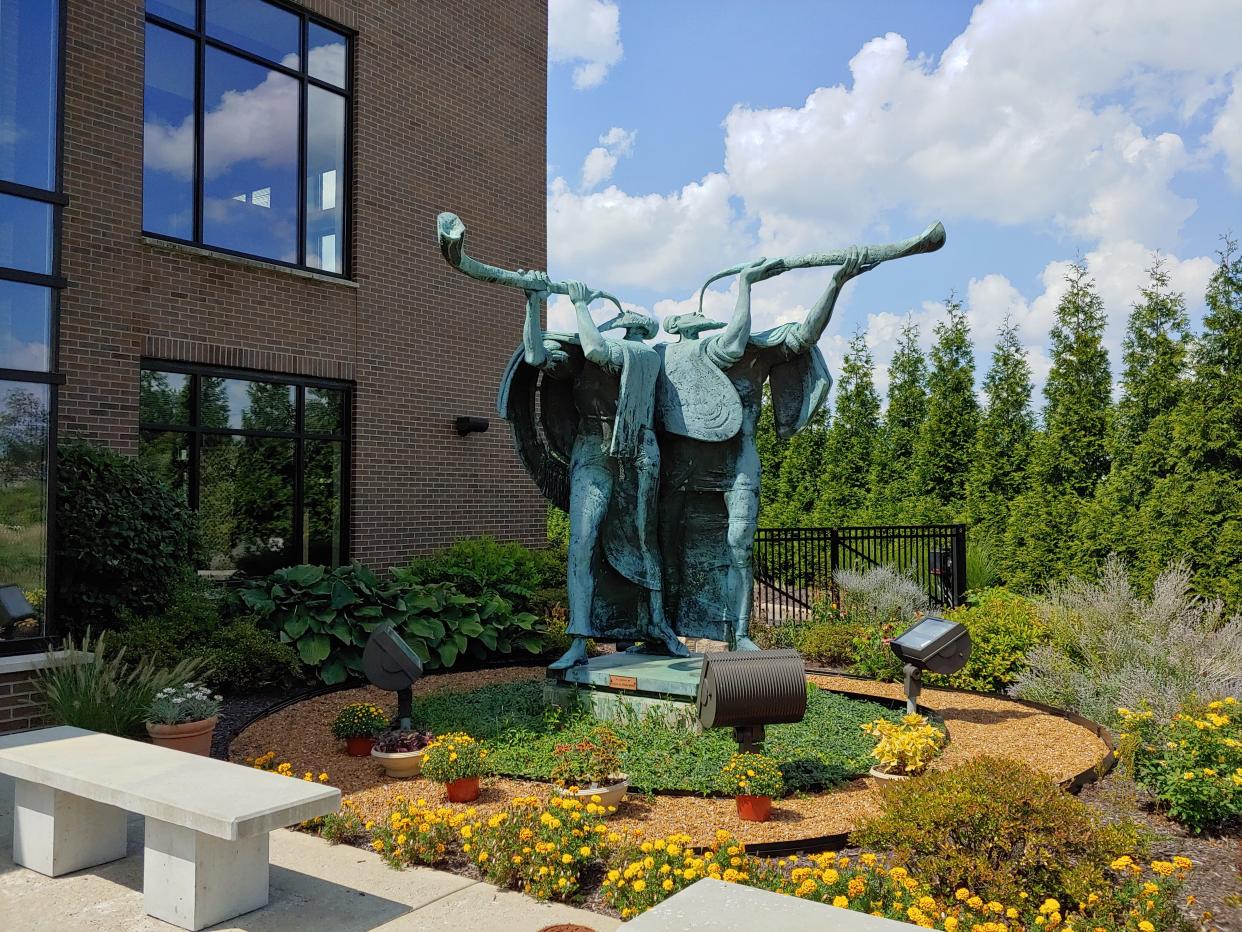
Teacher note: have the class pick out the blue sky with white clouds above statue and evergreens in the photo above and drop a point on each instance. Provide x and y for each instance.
(687, 137)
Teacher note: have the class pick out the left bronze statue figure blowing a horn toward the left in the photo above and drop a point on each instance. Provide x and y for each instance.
(596, 434)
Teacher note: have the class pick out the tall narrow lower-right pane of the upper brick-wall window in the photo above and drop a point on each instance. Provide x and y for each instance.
(326, 177)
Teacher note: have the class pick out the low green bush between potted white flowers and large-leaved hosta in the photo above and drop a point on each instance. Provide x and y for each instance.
(237, 654)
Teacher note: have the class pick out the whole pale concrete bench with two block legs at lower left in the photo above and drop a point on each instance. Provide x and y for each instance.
(208, 821)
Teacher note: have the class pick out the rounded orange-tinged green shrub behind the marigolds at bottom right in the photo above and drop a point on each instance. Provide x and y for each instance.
(998, 828)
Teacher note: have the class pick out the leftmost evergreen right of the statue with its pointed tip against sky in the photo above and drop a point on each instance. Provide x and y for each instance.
(845, 475)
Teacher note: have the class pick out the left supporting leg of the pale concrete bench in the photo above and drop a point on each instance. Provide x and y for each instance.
(57, 833)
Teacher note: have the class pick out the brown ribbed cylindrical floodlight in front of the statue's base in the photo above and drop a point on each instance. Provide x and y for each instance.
(751, 689)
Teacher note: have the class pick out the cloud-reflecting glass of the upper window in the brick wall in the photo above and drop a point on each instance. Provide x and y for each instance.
(260, 126)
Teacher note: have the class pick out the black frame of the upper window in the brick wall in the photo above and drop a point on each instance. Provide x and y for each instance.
(202, 42)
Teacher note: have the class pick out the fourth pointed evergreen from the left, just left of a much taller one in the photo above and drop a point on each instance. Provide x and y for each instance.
(1003, 447)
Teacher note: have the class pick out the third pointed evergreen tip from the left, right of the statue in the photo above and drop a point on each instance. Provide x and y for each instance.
(948, 436)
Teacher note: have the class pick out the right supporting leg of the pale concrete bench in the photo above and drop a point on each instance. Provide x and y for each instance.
(196, 880)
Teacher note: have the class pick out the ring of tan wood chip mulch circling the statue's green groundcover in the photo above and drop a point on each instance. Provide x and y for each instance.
(978, 725)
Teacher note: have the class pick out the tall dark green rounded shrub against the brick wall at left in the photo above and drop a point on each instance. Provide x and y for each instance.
(125, 541)
